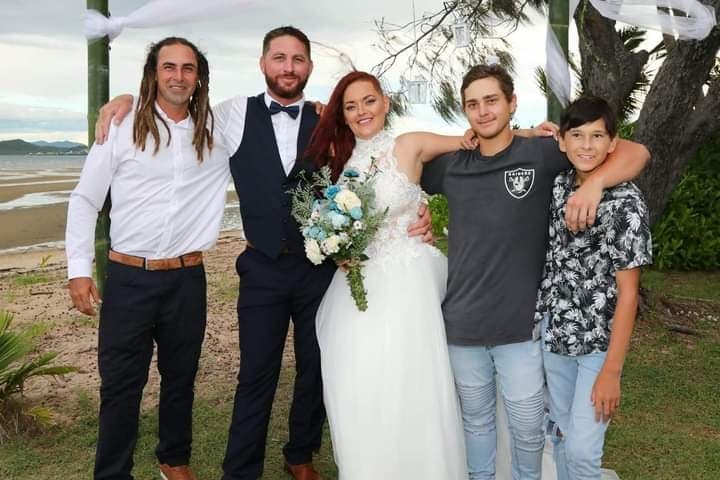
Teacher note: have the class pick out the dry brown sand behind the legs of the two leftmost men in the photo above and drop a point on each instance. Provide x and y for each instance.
(33, 287)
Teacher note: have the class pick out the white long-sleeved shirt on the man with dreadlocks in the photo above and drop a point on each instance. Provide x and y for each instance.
(163, 205)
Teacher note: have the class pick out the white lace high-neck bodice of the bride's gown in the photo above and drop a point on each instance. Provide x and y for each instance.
(392, 190)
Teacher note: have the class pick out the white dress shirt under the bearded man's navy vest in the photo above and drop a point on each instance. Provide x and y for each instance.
(230, 121)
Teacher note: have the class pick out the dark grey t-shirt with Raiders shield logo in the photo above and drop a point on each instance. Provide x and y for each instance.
(496, 237)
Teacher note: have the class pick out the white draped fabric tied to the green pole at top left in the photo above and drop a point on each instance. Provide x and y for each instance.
(156, 13)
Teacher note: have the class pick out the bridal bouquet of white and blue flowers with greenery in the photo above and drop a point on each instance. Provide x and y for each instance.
(338, 221)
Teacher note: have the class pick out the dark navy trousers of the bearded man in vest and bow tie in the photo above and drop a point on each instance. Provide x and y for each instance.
(272, 291)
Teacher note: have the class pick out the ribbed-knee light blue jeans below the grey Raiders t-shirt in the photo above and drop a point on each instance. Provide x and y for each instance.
(519, 371)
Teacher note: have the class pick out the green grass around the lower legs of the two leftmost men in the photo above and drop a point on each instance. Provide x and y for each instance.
(69, 452)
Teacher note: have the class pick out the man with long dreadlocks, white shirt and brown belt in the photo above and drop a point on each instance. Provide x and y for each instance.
(167, 181)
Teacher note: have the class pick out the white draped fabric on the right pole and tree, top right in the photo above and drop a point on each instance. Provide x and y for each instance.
(696, 24)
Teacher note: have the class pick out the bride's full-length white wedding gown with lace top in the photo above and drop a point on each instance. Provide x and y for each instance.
(388, 387)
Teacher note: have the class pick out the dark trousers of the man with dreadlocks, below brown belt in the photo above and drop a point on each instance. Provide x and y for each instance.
(140, 308)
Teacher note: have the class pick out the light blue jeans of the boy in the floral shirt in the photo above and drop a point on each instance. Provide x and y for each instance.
(578, 451)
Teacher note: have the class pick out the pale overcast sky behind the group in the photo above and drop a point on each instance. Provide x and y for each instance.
(43, 88)
